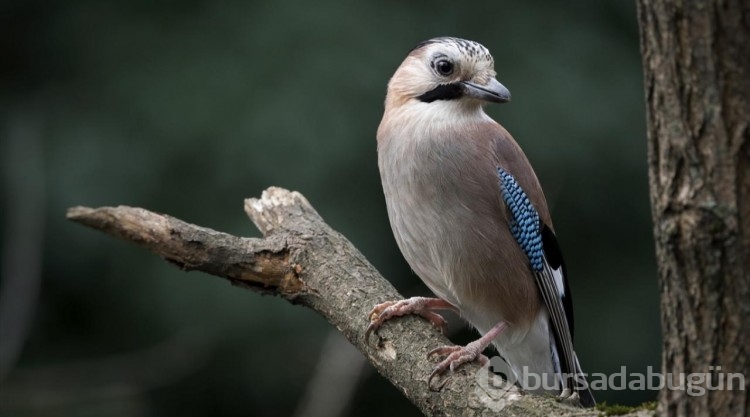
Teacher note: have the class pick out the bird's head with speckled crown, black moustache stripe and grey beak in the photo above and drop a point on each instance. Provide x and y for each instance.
(447, 70)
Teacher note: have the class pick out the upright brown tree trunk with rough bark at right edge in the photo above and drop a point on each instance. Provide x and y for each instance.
(696, 59)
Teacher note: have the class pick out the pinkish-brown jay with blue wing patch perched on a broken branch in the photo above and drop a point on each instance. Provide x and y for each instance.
(469, 216)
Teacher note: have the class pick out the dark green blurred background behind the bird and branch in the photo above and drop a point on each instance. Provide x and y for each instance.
(188, 107)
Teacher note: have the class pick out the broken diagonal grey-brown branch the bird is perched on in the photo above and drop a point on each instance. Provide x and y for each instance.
(304, 261)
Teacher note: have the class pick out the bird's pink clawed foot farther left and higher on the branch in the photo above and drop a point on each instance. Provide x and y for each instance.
(422, 306)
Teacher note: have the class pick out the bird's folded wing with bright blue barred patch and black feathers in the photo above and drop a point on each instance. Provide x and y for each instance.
(538, 242)
